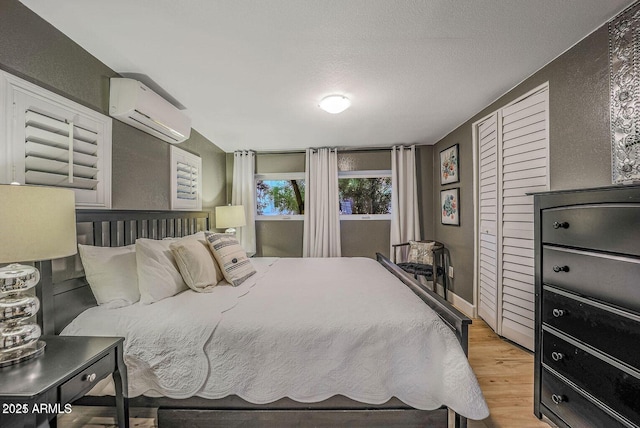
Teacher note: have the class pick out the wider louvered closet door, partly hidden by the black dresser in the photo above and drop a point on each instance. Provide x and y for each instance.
(524, 170)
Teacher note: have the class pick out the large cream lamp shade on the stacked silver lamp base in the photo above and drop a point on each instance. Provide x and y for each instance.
(36, 223)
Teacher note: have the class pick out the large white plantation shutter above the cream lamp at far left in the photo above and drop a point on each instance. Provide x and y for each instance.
(53, 141)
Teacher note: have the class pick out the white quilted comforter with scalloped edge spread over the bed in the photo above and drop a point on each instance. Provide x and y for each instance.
(306, 329)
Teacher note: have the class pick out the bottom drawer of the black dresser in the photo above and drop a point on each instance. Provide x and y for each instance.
(570, 406)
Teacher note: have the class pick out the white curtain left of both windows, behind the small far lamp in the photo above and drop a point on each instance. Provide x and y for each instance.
(243, 193)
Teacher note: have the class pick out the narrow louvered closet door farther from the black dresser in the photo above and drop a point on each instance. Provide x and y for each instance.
(487, 133)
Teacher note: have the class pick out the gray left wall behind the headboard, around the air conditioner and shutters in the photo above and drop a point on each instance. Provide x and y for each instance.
(35, 51)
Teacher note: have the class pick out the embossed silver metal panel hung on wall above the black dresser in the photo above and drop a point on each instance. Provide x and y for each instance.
(624, 84)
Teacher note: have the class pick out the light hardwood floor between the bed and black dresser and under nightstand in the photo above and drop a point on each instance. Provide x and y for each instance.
(504, 371)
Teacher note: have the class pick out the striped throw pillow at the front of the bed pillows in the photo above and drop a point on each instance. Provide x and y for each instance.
(231, 257)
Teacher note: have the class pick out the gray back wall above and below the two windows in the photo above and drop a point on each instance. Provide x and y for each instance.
(360, 238)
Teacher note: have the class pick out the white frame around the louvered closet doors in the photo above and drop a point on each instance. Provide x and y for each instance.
(476, 199)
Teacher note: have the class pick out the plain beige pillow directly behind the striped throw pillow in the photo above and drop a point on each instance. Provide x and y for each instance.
(196, 263)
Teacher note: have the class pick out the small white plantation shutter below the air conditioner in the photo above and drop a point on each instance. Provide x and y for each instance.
(186, 181)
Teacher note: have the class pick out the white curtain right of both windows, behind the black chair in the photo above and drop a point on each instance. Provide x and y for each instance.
(405, 221)
